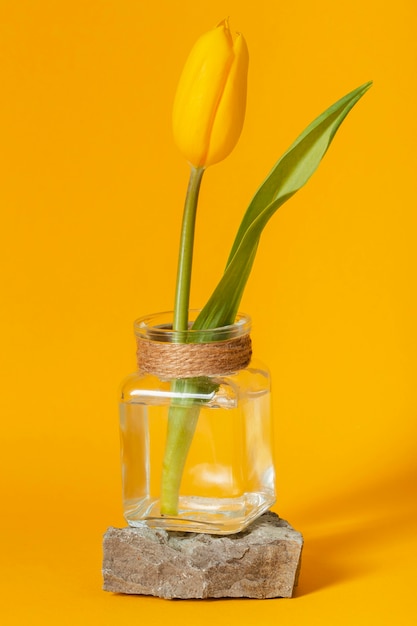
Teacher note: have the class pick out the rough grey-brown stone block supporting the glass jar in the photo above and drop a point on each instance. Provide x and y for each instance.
(261, 562)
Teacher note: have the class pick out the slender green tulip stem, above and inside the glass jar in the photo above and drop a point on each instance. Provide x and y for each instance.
(183, 414)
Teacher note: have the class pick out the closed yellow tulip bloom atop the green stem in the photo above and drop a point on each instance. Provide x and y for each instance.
(210, 103)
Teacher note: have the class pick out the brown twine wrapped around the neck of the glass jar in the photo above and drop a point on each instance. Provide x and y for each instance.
(188, 360)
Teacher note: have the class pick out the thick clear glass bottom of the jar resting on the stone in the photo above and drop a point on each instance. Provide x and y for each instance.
(216, 516)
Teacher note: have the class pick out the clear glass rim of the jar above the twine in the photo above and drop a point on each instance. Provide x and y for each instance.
(158, 327)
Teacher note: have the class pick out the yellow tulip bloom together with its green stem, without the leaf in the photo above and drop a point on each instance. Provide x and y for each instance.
(208, 115)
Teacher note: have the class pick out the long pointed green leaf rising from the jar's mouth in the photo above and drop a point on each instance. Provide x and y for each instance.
(289, 174)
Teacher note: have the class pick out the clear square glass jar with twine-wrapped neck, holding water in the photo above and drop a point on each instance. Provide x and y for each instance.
(196, 429)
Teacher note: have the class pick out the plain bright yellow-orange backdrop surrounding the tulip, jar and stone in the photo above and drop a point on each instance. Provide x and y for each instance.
(91, 196)
